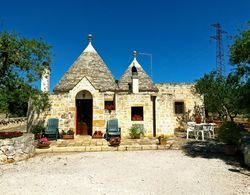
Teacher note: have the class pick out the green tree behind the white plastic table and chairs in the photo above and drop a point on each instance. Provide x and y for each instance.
(222, 95)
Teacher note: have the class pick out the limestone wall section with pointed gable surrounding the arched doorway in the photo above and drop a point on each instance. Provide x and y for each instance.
(63, 107)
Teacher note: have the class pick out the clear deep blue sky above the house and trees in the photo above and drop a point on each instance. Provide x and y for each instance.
(176, 33)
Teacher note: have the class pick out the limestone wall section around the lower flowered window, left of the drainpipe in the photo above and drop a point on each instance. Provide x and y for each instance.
(124, 102)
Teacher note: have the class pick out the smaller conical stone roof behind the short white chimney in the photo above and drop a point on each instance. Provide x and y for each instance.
(145, 82)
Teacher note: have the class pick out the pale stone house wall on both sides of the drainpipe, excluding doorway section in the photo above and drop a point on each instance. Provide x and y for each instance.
(166, 119)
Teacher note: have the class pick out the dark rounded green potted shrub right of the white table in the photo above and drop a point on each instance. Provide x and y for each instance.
(230, 132)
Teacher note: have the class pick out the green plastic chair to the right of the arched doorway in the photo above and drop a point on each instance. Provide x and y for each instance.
(112, 129)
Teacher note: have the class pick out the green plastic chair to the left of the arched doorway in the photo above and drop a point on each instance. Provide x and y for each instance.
(51, 130)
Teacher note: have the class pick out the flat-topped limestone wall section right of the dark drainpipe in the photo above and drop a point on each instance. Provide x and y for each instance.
(168, 94)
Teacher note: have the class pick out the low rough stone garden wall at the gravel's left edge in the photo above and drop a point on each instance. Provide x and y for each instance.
(16, 149)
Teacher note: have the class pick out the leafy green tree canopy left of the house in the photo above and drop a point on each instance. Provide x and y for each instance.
(22, 62)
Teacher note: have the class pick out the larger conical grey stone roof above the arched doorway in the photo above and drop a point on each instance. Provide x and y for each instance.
(90, 65)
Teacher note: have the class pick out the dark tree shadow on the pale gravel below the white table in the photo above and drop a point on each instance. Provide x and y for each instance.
(213, 150)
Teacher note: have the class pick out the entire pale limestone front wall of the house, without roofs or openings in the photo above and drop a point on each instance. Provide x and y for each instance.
(63, 107)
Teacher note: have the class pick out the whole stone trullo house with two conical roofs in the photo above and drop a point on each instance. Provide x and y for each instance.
(88, 95)
